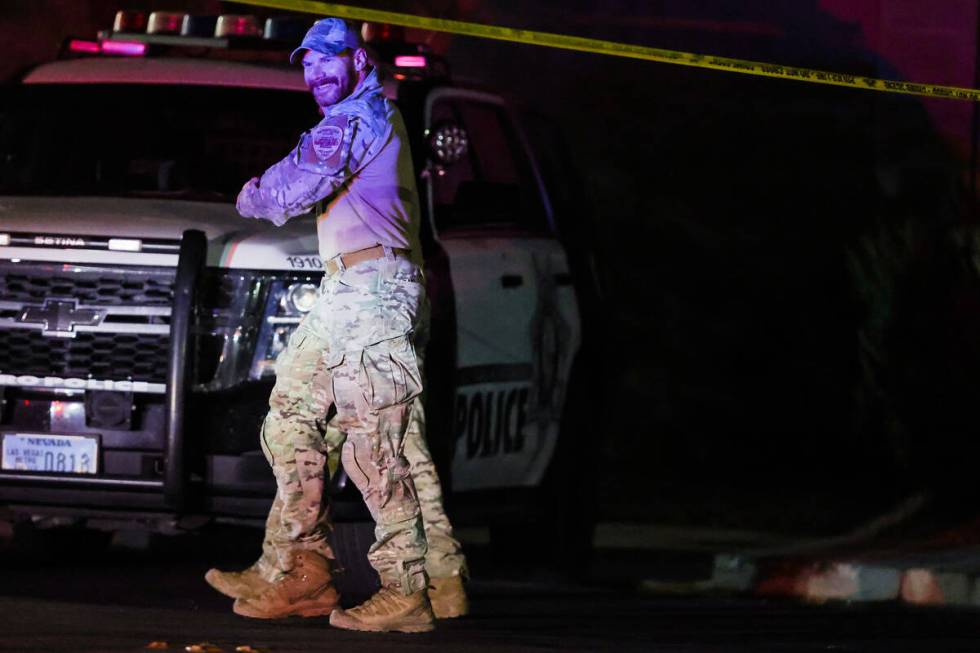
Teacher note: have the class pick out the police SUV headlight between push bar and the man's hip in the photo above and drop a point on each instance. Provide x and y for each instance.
(284, 309)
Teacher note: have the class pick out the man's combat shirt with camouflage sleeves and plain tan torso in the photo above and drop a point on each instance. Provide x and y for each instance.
(357, 159)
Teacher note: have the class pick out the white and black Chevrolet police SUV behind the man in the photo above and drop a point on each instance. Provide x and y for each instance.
(140, 315)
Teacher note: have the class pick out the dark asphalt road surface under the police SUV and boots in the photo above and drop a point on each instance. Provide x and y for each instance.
(76, 596)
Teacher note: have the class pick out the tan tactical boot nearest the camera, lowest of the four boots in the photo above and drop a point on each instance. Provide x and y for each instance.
(388, 610)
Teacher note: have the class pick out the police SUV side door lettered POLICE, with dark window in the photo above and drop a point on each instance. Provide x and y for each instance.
(517, 321)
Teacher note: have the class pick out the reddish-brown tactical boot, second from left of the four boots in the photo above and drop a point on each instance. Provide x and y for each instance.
(306, 591)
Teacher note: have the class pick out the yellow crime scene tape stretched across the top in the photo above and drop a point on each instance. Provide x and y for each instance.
(581, 44)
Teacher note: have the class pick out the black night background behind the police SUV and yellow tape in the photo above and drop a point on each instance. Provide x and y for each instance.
(790, 272)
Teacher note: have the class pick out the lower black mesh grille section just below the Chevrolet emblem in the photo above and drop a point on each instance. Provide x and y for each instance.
(119, 356)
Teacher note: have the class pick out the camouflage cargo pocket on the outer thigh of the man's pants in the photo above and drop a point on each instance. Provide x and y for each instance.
(389, 373)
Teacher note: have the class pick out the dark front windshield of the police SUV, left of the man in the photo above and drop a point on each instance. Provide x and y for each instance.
(184, 142)
